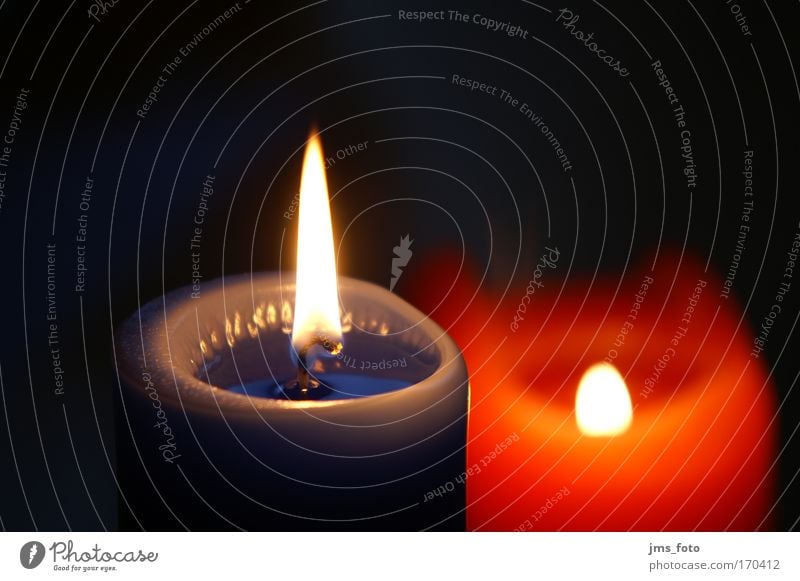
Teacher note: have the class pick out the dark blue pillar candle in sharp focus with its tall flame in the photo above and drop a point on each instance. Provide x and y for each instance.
(349, 423)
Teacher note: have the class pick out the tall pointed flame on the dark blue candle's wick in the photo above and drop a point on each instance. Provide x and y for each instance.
(316, 308)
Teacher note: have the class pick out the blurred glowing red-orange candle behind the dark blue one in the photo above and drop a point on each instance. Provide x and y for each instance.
(693, 451)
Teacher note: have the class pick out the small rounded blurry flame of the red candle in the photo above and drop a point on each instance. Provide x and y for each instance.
(603, 404)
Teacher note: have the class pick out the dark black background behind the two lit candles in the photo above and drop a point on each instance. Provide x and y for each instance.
(461, 168)
